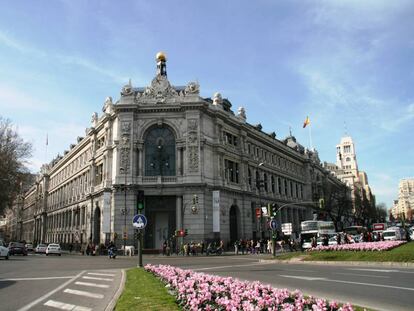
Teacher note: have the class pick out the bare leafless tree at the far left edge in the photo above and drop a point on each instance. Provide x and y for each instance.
(14, 153)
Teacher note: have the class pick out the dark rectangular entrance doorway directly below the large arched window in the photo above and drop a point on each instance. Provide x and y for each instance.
(160, 212)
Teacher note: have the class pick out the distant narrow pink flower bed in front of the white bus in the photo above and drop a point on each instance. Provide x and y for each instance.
(364, 246)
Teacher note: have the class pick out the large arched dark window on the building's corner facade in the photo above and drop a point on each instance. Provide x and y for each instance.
(160, 152)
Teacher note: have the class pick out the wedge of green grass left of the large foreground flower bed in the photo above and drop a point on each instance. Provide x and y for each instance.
(145, 292)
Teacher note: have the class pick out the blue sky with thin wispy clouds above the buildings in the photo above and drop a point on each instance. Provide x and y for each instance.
(348, 65)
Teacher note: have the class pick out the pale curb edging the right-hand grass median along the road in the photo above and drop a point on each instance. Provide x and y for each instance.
(345, 263)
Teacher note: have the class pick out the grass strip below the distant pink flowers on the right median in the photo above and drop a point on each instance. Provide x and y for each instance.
(404, 253)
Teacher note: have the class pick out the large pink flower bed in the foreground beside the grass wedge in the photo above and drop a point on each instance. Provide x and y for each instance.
(199, 291)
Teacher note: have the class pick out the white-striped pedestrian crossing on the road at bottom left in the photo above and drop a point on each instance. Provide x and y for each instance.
(91, 285)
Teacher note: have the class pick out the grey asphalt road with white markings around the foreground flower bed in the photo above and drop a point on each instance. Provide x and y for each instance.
(41, 283)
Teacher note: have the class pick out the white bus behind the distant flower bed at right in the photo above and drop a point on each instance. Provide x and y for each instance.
(315, 228)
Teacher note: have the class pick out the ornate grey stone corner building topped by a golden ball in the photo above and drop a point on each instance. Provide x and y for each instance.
(201, 166)
